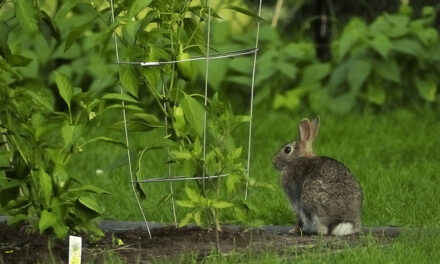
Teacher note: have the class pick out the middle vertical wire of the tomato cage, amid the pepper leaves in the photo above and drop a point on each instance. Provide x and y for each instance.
(206, 89)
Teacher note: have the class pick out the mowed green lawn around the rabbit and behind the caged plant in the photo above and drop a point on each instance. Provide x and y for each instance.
(394, 155)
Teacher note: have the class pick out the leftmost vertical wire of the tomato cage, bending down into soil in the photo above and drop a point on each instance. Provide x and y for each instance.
(126, 134)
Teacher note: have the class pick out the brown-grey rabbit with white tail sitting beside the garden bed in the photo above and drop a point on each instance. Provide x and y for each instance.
(327, 199)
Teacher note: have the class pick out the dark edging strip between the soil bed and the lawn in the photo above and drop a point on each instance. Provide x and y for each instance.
(109, 225)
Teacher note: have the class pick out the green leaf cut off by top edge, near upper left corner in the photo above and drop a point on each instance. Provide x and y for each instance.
(27, 15)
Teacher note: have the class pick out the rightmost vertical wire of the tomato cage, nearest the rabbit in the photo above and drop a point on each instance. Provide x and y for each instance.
(252, 104)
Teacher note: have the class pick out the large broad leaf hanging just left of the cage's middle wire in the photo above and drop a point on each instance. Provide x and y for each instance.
(194, 113)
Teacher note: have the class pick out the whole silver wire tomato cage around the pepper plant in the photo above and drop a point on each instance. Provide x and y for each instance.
(209, 56)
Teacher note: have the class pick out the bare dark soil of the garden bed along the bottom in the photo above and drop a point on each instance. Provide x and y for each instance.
(18, 246)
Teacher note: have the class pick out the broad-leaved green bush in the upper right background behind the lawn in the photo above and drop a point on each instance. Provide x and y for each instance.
(384, 63)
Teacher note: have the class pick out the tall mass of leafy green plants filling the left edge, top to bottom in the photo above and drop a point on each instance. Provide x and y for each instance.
(44, 118)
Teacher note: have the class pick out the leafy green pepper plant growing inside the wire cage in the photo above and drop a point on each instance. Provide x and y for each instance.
(175, 121)
